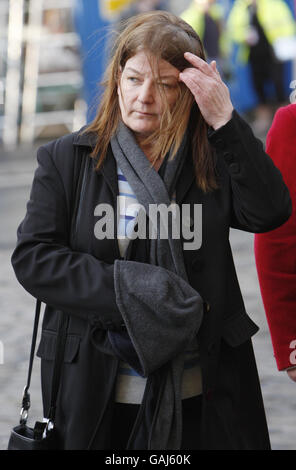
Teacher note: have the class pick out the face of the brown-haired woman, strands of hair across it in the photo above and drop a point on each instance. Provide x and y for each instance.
(140, 100)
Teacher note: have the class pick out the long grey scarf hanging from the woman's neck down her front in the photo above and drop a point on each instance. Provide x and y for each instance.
(160, 309)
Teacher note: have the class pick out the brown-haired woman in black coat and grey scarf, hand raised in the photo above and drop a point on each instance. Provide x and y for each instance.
(159, 354)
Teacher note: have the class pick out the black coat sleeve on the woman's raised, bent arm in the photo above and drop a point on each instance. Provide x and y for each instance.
(260, 200)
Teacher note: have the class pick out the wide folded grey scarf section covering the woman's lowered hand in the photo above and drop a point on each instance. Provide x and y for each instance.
(161, 311)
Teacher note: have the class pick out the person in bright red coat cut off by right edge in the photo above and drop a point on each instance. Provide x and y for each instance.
(275, 251)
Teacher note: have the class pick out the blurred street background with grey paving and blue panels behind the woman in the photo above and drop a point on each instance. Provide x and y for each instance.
(52, 55)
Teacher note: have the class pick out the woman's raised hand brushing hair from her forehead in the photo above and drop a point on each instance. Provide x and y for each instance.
(210, 92)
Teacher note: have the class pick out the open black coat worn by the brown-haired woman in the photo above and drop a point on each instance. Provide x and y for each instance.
(76, 276)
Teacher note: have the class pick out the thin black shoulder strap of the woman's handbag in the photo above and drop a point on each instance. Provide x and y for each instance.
(62, 326)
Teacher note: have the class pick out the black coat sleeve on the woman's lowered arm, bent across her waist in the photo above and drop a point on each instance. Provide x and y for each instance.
(46, 266)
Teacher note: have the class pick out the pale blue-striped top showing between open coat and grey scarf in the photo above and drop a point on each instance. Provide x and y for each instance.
(130, 385)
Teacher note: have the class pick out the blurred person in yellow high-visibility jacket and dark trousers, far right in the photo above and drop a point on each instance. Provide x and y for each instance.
(255, 25)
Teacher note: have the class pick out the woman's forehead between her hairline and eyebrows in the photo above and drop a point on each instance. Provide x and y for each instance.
(142, 63)
